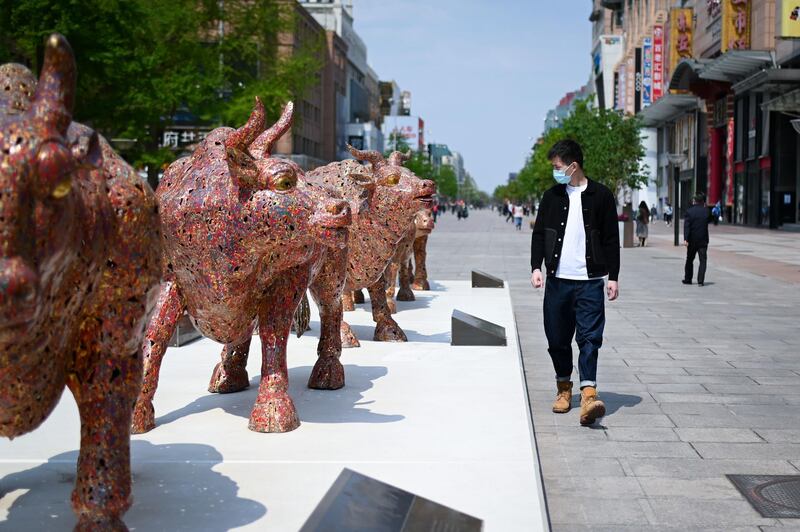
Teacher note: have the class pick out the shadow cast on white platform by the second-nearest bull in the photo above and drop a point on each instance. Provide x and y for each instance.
(325, 406)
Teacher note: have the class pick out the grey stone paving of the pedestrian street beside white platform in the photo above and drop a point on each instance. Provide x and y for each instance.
(698, 382)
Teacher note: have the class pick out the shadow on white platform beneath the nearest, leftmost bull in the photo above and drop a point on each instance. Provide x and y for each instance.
(174, 488)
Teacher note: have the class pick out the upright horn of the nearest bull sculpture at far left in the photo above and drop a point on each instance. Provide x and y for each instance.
(54, 99)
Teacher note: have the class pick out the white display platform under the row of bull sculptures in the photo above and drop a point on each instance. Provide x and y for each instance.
(450, 424)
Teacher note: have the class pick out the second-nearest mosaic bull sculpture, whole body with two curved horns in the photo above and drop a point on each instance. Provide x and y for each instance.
(243, 238)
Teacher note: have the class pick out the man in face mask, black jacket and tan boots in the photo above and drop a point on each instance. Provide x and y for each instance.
(576, 235)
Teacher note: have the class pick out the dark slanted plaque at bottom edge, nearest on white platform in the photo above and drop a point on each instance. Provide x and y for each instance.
(356, 502)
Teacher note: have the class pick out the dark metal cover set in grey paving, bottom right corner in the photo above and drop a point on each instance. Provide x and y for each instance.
(776, 496)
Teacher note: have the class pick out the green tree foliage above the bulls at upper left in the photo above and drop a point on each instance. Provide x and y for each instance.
(142, 61)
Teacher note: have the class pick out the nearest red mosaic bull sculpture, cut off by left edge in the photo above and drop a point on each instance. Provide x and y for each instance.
(78, 276)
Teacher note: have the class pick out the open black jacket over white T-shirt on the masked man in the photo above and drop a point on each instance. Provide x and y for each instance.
(600, 223)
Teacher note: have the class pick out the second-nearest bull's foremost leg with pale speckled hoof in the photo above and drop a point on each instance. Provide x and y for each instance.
(274, 410)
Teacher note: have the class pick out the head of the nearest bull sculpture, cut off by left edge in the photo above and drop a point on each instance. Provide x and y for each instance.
(38, 170)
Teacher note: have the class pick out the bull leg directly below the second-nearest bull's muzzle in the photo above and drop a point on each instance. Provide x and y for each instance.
(328, 373)
